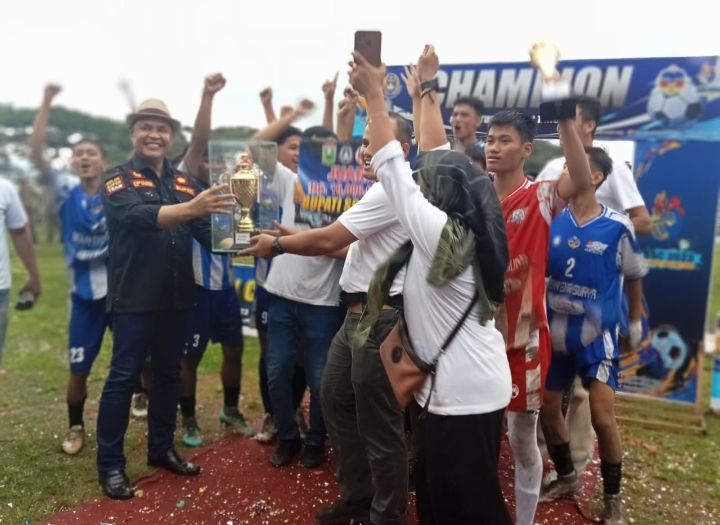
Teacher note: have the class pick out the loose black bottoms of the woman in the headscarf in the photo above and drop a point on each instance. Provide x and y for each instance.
(456, 477)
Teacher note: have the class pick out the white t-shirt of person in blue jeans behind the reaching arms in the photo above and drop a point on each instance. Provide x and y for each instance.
(311, 280)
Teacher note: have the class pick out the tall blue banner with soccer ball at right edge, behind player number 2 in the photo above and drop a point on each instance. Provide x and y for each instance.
(679, 182)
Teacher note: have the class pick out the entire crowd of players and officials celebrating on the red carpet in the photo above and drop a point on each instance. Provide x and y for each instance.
(138, 250)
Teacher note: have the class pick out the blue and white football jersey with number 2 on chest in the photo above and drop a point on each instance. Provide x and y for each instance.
(586, 266)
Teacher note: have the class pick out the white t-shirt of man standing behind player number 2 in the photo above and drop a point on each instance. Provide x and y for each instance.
(619, 191)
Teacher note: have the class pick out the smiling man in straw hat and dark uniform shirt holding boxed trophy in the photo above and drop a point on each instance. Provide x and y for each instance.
(152, 211)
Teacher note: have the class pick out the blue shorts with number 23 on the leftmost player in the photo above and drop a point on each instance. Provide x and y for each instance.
(88, 320)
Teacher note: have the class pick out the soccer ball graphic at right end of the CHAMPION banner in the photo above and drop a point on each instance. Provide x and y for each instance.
(674, 100)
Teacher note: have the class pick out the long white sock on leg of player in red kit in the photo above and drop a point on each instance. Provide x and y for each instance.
(522, 431)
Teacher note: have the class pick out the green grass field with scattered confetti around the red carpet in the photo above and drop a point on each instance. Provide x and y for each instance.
(669, 478)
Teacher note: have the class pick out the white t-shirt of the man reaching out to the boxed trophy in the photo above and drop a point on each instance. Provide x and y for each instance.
(373, 221)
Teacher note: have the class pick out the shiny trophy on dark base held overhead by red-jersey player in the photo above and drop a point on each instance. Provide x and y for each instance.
(556, 95)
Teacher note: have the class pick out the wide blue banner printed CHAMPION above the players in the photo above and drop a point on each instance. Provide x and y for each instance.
(676, 97)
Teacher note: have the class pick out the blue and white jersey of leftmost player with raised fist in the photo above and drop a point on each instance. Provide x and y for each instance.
(85, 240)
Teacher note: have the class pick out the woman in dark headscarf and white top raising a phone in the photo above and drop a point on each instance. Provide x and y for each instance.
(458, 250)
